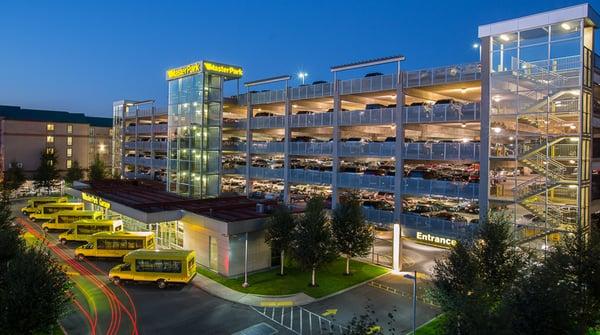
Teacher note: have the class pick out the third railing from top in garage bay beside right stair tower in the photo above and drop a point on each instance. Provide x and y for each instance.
(442, 151)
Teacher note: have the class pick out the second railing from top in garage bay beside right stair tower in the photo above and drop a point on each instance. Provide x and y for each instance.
(443, 113)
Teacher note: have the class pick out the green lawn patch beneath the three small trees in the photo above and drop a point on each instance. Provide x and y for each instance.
(330, 279)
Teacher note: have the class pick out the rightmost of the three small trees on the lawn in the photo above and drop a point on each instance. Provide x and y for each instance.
(353, 236)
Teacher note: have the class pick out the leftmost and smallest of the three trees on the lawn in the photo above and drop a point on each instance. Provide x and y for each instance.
(280, 231)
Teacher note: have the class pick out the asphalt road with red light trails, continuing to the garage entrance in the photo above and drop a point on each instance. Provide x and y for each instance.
(100, 307)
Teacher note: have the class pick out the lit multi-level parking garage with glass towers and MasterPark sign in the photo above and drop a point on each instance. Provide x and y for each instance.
(433, 149)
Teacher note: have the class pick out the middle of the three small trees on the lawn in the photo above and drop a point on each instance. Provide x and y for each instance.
(314, 244)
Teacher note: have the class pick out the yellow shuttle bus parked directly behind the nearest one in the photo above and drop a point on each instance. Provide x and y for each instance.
(117, 244)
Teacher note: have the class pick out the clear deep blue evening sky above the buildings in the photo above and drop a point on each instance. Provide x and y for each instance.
(79, 56)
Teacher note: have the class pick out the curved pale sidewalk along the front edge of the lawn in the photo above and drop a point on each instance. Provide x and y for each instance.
(226, 293)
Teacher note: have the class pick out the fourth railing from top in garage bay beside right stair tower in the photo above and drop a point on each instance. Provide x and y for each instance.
(434, 187)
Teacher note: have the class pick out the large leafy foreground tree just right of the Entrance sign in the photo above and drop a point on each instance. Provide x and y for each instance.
(471, 283)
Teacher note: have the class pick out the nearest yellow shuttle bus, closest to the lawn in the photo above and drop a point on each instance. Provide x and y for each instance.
(159, 266)
